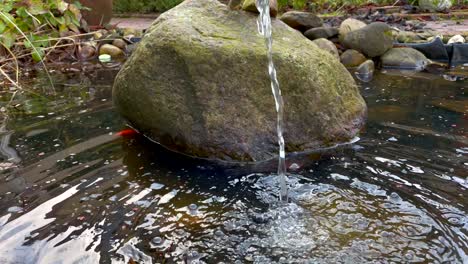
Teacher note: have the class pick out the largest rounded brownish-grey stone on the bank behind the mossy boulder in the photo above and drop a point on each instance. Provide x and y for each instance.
(372, 40)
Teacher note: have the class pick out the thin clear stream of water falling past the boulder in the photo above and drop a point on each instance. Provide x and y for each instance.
(264, 28)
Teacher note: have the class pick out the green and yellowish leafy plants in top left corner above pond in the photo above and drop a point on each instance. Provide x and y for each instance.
(31, 23)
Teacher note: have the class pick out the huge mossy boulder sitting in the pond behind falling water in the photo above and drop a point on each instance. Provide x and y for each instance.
(198, 84)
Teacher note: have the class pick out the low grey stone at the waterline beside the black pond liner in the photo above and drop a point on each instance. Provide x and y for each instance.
(404, 58)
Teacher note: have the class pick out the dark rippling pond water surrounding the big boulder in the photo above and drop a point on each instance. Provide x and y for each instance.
(74, 190)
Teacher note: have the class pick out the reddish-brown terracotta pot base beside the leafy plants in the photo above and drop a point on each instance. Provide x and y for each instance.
(100, 13)
